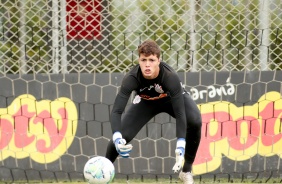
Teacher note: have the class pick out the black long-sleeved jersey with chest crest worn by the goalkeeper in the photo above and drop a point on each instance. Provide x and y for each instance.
(165, 88)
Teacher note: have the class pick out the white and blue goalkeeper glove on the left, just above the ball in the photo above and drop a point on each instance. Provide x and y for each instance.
(121, 146)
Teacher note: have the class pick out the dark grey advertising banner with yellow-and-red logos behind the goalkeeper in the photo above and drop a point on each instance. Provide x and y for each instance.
(54, 123)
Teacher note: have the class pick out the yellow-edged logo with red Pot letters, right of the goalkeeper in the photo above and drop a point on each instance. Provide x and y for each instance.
(239, 133)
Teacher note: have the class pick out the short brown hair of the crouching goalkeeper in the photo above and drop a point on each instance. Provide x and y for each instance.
(149, 47)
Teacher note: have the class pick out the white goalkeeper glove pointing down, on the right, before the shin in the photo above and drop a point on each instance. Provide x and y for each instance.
(179, 153)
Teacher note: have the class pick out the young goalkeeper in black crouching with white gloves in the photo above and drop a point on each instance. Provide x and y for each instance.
(158, 89)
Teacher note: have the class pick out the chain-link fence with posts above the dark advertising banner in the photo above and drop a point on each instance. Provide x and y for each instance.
(69, 36)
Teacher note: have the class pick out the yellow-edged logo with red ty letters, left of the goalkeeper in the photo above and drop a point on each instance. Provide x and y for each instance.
(29, 128)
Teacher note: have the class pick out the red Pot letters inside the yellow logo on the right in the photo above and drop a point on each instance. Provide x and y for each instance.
(241, 133)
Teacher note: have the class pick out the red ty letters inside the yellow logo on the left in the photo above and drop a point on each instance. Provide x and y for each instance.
(22, 120)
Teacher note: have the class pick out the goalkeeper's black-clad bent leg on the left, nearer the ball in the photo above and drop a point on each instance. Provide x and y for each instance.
(134, 118)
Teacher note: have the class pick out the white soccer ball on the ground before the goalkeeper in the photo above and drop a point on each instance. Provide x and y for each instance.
(99, 170)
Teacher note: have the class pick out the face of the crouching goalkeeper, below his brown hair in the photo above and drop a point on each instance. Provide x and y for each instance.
(149, 66)
